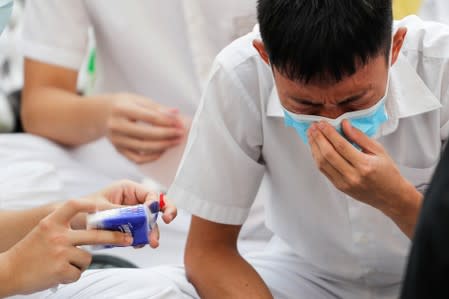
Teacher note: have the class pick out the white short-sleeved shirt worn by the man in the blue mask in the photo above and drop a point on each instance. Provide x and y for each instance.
(239, 135)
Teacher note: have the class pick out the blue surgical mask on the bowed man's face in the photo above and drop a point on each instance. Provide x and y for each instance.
(368, 120)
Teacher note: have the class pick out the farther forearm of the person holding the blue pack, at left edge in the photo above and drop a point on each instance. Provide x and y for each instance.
(20, 223)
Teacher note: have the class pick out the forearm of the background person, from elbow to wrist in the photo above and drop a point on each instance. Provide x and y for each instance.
(63, 116)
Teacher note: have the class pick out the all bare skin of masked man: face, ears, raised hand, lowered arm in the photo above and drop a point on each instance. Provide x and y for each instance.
(369, 176)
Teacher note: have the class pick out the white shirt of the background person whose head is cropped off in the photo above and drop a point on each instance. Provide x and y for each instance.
(162, 50)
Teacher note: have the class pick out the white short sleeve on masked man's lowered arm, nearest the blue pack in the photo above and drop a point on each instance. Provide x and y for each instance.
(220, 173)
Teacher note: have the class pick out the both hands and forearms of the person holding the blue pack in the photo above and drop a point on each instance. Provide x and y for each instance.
(56, 232)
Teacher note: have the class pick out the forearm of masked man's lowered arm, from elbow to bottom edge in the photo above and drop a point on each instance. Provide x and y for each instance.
(223, 273)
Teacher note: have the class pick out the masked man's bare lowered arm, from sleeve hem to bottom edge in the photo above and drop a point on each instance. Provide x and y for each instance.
(214, 265)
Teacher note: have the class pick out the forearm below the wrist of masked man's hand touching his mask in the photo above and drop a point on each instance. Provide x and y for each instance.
(405, 211)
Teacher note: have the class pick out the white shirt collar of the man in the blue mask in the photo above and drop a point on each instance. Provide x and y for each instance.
(407, 96)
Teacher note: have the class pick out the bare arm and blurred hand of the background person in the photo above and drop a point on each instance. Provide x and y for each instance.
(140, 129)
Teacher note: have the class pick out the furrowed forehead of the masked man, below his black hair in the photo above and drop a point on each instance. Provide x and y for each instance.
(370, 76)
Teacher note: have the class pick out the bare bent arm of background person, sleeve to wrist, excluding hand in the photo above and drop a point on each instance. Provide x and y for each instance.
(52, 108)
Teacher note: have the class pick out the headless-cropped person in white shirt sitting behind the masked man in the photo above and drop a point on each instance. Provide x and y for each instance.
(152, 61)
